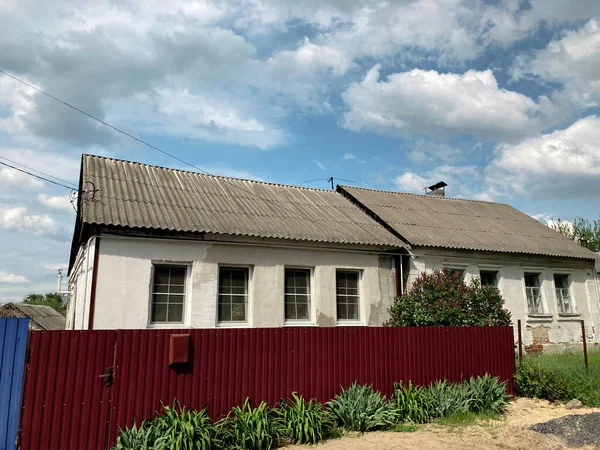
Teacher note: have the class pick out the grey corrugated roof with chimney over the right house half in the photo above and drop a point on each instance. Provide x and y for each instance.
(465, 224)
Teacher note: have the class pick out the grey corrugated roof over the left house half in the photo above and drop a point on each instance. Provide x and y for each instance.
(137, 195)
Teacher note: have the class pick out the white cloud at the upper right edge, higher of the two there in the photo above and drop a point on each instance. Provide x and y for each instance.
(573, 60)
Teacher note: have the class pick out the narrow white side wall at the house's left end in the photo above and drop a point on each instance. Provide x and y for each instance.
(80, 287)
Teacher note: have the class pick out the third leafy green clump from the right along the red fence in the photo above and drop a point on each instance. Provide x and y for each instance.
(412, 404)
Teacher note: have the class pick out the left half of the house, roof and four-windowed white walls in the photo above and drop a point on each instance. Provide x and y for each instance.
(156, 247)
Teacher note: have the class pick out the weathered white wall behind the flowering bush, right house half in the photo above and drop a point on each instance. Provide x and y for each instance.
(558, 328)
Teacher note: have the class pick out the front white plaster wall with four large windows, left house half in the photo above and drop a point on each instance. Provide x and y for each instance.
(124, 281)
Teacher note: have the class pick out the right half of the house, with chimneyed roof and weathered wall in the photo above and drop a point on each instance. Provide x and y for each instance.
(548, 281)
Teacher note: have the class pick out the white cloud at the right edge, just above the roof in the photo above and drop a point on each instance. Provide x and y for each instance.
(562, 164)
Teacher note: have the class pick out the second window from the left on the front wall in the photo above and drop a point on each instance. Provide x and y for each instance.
(233, 294)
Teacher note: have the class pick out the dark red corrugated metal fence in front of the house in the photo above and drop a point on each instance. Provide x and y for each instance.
(67, 405)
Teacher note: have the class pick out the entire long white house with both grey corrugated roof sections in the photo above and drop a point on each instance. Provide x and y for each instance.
(157, 247)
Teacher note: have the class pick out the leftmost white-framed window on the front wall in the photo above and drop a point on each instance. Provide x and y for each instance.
(168, 293)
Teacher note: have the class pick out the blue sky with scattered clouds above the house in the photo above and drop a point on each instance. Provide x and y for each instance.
(499, 99)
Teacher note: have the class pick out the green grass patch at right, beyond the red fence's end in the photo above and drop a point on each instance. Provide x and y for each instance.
(571, 370)
